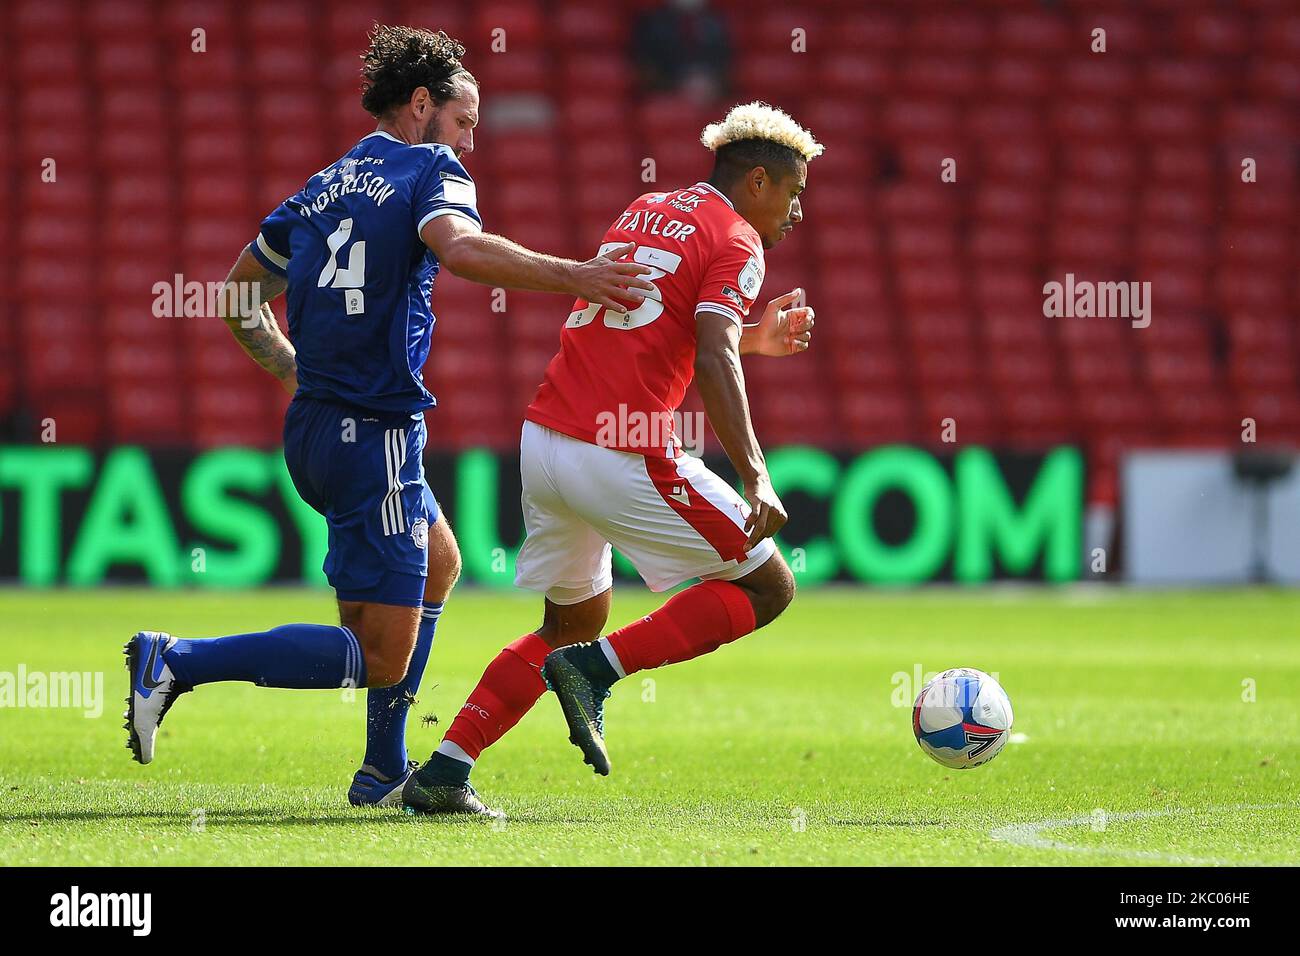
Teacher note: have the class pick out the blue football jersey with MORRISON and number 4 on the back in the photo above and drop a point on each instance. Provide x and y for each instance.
(359, 276)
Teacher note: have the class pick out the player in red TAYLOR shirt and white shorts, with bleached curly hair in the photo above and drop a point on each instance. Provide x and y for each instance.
(603, 464)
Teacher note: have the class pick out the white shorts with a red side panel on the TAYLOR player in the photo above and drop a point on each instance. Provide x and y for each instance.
(673, 520)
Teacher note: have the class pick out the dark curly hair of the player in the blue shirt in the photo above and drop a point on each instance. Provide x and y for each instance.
(402, 59)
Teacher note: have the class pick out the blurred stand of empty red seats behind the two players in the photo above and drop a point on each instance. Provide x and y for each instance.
(1115, 167)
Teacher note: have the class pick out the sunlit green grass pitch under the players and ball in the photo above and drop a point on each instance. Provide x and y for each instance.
(1158, 729)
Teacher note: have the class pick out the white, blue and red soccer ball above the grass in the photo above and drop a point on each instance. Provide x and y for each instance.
(963, 719)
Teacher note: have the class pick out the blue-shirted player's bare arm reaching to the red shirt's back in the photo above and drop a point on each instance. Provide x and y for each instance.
(499, 262)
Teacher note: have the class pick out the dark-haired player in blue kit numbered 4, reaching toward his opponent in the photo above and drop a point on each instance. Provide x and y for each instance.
(358, 250)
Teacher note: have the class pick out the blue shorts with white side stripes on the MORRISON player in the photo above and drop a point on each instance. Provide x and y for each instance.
(365, 471)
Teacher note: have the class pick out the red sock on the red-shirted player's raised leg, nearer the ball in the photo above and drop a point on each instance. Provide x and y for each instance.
(696, 622)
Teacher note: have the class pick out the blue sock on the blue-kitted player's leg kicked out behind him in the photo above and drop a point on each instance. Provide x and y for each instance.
(300, 656)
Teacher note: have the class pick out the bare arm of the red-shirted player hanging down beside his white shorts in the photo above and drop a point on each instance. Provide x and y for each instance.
(722, 386)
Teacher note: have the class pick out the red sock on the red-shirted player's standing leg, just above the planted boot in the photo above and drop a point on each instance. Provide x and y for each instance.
(506, 691)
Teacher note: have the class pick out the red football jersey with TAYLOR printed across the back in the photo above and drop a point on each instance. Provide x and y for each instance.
(618, 379)
